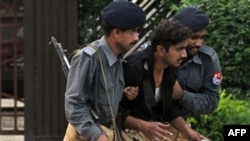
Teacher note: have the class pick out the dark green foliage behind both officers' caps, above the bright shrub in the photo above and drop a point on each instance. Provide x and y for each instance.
(228, 32)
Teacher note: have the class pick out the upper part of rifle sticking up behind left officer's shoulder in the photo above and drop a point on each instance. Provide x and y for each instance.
(61, 54)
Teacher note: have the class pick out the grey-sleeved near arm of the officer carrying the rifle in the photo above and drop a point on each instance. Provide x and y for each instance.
(77, 91)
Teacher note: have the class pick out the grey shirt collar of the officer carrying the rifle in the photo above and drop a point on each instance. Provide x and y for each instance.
(111, 57)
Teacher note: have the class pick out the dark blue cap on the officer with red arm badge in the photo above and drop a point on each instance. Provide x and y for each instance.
(193, 18)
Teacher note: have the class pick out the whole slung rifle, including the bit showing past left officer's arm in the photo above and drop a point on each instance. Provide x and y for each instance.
(65, 67)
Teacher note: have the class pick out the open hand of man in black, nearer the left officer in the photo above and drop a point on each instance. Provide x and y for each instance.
(156, 131)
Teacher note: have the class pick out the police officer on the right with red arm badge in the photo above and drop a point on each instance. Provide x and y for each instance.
(199, 78)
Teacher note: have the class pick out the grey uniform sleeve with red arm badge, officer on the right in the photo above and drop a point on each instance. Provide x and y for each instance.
(206, 101)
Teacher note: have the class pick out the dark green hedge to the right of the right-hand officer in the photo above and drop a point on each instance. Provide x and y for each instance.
(228, 33)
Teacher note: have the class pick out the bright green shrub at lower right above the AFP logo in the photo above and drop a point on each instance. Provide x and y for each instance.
(230, 111)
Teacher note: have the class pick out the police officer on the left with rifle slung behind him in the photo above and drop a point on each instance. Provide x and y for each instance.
(95, 82)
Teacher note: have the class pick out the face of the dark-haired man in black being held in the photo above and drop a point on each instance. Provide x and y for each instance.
(176, 54)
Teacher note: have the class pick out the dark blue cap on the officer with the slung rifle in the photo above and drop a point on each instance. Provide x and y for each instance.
(123, 15)
